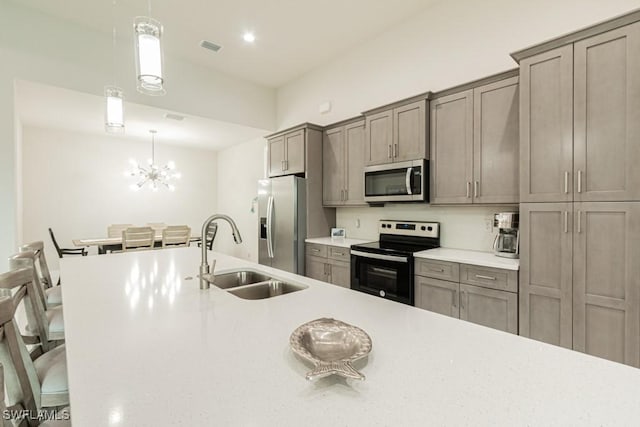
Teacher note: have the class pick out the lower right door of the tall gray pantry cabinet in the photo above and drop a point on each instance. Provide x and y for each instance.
(606, 280)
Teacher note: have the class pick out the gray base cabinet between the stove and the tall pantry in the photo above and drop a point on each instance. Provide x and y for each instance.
(485, 296)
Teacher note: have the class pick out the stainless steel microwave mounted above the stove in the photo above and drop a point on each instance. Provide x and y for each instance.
(397, 182)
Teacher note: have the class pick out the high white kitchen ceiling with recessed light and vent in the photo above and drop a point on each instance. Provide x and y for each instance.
(292, 36)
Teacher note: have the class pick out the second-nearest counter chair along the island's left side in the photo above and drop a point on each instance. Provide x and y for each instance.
(45, 325)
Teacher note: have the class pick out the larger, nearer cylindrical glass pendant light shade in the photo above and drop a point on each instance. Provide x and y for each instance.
(148, 33)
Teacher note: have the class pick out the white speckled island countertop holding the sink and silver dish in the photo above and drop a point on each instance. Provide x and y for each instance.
(147, 347)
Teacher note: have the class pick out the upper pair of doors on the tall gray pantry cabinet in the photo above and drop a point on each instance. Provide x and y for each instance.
(580, 106)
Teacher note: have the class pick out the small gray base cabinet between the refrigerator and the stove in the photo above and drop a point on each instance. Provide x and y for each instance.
(328, 263)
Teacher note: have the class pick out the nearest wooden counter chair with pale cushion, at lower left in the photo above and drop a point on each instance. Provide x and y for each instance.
(31, 384)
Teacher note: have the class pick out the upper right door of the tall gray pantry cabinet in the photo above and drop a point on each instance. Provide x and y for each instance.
(607, 116)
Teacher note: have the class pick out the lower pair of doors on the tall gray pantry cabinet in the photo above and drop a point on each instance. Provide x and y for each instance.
(580, 277)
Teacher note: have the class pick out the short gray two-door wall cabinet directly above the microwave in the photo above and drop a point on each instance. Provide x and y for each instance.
(396, 134)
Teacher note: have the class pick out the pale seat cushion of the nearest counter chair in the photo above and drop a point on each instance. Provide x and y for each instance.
(51, 369)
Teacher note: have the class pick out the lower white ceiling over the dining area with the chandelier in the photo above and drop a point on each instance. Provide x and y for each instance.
(56, 108)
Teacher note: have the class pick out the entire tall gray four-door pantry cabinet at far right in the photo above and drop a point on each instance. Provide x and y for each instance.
(580, 191)
